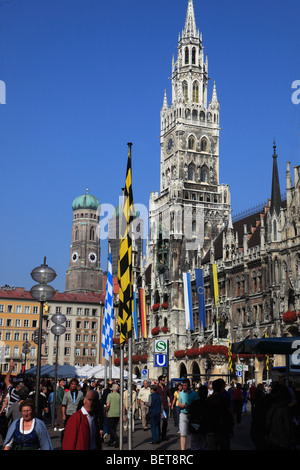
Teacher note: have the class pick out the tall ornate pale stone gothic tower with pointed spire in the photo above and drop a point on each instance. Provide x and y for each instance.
(192, 207)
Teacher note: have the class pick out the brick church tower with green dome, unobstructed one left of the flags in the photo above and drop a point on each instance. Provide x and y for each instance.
(84, 273)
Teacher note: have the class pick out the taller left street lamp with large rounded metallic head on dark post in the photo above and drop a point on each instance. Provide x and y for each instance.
(42, 293)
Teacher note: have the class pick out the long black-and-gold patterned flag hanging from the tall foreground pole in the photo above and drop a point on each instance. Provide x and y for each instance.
(125, 275)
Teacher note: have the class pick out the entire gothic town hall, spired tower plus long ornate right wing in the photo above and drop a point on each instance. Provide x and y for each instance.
(257, 256)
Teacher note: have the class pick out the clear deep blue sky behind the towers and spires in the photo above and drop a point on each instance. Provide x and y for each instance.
(84, 77)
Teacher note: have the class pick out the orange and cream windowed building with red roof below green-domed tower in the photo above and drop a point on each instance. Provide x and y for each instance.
(79, 345)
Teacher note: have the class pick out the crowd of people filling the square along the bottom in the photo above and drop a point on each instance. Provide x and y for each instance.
(87, 414)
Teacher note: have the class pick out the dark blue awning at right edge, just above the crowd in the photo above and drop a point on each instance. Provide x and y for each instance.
(282, 345)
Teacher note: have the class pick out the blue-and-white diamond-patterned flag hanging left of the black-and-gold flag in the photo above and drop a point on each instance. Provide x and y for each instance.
(107, 332)
